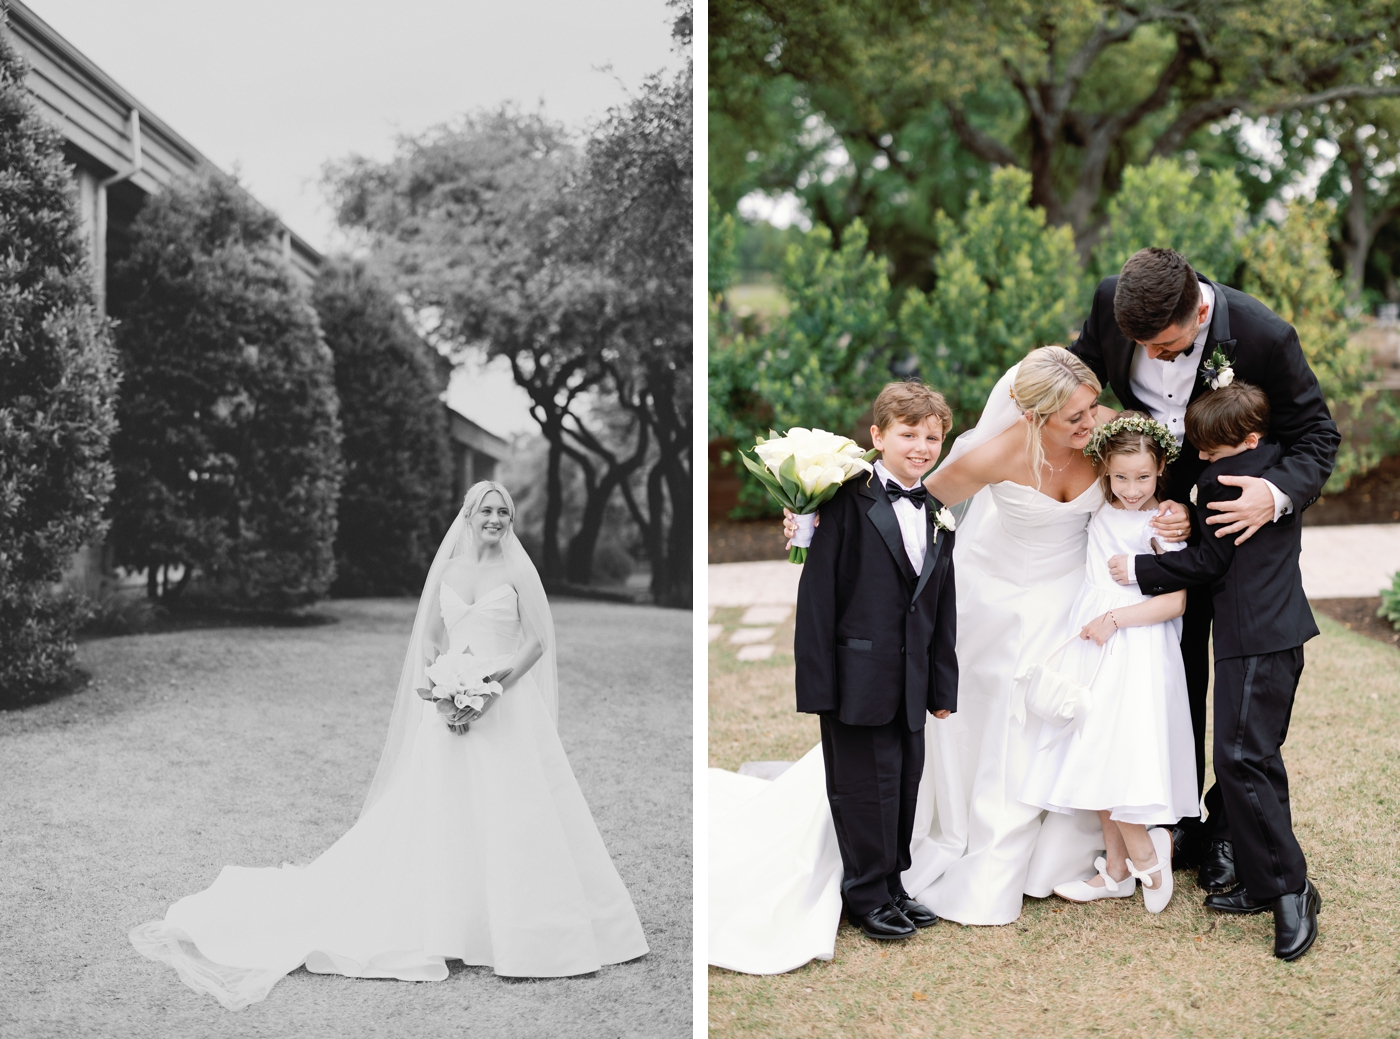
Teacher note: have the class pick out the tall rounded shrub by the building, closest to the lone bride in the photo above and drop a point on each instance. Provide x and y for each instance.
(397, 495)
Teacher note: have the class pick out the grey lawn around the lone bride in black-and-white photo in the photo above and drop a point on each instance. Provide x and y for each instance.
(255, 747)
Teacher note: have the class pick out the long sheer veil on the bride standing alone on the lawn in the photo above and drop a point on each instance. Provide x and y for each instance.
(535, 617)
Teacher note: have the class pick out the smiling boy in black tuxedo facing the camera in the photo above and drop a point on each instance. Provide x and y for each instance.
(876, 634)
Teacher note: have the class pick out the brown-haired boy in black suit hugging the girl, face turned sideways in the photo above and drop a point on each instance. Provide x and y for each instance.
(1262, 622)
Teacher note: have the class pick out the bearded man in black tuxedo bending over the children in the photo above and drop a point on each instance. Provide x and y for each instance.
(1150, 333)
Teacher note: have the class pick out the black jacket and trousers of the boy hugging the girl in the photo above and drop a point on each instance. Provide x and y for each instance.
(1262, 622)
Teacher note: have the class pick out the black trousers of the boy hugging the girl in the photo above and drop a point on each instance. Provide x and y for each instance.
(1254, 704)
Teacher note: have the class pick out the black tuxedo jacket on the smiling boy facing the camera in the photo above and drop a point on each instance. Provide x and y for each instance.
(873, 636)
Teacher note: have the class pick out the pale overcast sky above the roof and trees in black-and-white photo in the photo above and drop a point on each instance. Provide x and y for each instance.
(279, 88)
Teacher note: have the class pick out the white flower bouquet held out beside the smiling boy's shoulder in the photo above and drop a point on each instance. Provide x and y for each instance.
(801, 471)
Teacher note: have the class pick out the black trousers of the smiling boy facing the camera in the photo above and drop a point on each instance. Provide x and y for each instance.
(873, 778)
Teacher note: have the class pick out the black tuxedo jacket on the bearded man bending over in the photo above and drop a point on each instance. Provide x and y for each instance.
(1266, 352)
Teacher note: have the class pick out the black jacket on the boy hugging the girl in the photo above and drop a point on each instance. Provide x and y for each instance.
(1258, 587)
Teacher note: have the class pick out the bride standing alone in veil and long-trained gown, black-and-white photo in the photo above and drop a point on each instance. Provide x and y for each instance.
(472, 845)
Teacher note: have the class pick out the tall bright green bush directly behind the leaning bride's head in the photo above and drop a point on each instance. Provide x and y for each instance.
(1007, 282)
